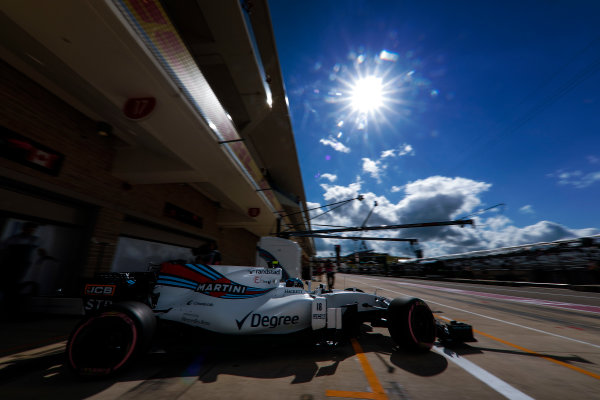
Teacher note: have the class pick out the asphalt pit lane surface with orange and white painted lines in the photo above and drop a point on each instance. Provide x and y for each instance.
(541, 343)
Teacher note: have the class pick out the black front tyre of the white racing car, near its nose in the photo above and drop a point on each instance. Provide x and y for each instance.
(411, 324)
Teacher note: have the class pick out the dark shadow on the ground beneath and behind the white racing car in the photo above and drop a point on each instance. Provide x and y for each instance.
(204, 360)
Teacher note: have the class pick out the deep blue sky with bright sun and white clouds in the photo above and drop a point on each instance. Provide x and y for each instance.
(480, 103)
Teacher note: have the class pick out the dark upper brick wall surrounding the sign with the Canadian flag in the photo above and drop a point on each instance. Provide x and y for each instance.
(31, 111)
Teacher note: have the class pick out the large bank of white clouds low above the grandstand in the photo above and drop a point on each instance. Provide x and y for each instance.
(436, 198)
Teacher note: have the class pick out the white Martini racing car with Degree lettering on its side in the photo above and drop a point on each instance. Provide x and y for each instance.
(125, 311)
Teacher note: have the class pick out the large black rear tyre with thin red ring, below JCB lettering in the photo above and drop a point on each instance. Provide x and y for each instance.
(105, 343)
